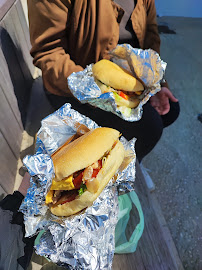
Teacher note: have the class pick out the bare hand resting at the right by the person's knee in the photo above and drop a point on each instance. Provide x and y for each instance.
(160, 101)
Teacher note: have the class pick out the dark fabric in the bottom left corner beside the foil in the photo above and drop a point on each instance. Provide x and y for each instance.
(12, 231)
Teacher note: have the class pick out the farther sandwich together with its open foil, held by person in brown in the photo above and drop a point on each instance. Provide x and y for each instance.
(121, 85)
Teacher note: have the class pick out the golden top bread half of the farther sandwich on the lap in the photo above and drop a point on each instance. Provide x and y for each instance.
(116, 77)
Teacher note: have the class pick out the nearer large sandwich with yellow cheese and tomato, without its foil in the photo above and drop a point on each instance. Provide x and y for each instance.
(82, 170)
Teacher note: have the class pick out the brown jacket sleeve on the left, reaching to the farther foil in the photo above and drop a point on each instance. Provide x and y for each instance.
(48, 22)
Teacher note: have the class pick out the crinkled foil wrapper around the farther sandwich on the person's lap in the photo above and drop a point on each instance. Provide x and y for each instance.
(143, 64)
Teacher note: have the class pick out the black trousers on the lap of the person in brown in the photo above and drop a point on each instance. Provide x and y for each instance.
(147, 130)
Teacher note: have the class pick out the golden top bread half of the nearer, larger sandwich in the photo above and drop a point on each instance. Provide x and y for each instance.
(83, 152)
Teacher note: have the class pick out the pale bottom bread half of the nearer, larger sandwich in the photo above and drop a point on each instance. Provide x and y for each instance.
(111, 165)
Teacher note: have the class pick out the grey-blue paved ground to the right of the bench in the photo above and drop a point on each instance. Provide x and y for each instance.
(175, 163)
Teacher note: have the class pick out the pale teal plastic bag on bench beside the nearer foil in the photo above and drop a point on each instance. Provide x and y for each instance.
(122, 245)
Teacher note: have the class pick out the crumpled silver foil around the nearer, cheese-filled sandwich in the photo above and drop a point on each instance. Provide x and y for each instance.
(85, 240)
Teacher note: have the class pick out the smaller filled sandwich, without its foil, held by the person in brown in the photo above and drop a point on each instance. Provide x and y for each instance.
(112, 78)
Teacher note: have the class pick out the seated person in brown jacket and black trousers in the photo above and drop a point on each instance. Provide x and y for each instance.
(68, 35)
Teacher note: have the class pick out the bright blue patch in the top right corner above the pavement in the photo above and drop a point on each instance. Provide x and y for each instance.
(182, 8)
